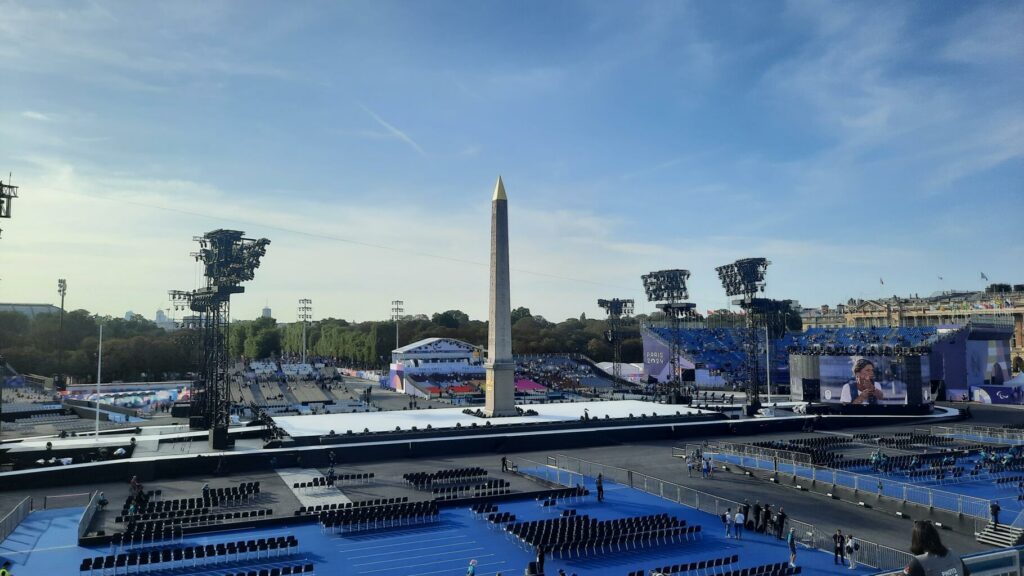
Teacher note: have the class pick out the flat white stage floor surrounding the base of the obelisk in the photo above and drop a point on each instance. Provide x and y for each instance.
(322, 425)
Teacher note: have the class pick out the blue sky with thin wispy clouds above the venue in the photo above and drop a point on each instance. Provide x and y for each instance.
(845, 142)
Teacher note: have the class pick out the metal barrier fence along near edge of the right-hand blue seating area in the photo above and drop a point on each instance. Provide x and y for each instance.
(925, 497)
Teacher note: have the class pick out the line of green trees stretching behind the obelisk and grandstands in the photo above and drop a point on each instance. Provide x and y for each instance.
(138, 350)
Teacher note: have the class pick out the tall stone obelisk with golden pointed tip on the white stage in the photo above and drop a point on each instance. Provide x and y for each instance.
(501, 368)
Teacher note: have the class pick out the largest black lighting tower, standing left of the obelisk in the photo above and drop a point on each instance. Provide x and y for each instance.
(229, 261)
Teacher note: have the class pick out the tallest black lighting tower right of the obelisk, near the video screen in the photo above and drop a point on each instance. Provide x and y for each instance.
(746, 278)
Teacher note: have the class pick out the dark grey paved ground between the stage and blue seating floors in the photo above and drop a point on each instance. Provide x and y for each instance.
(878, 524)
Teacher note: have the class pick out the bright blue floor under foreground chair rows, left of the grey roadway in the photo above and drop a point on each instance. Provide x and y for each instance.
(45, 545)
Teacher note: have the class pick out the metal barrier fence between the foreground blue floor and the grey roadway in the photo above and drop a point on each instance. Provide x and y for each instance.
(570, 471)
